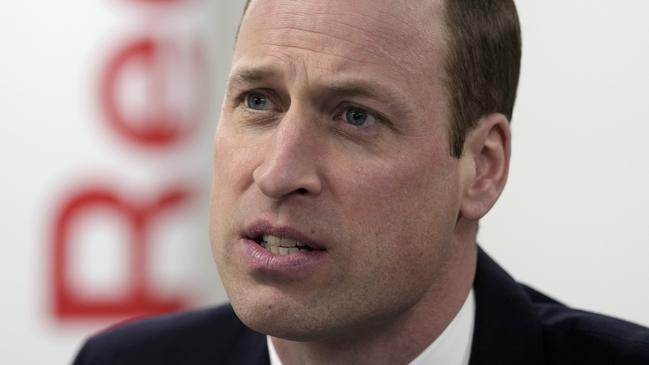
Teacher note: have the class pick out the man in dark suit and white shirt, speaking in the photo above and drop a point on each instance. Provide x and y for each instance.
(360, 143)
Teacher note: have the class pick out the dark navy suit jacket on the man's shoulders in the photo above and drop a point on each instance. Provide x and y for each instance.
(514, 325)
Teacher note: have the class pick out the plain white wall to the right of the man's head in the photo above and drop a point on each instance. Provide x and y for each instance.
(573, 221)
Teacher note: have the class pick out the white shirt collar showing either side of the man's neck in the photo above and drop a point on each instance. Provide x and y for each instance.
(452, 347)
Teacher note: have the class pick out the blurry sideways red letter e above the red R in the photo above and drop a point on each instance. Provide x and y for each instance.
(159, 124)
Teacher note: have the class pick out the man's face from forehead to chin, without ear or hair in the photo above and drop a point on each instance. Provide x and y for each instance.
(334, 133)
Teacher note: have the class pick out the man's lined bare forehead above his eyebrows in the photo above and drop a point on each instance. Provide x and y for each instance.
(407, 34)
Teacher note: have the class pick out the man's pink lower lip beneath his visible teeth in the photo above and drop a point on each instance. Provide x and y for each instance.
(259, 259)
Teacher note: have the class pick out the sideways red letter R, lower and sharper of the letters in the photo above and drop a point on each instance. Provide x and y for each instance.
(140, 299)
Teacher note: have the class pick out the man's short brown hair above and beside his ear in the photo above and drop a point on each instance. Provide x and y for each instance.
(482, 63)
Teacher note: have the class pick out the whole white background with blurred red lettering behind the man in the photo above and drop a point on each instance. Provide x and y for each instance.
(108, 108)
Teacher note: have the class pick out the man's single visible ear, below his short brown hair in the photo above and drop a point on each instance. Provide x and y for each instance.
(484, 165)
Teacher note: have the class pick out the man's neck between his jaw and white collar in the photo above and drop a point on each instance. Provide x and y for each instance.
(401, 339)
